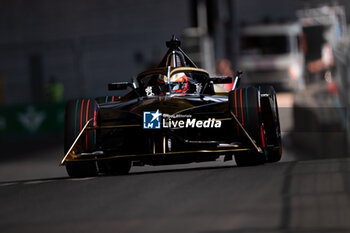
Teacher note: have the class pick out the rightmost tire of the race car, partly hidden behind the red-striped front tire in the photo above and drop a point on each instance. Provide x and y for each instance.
(271, 124)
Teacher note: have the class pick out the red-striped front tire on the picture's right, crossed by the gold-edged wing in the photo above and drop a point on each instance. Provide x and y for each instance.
(244, 103)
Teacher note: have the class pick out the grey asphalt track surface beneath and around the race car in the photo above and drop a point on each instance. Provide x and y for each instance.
(295, 195)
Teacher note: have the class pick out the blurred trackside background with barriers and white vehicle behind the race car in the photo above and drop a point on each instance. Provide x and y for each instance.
(53, 51)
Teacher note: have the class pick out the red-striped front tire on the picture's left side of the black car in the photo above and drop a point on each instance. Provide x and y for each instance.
(78, 112)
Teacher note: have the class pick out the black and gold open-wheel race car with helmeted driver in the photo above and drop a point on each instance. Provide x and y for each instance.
(172, 114)
